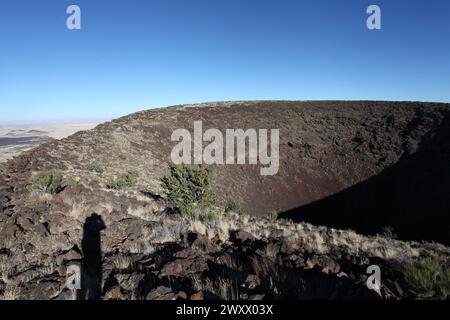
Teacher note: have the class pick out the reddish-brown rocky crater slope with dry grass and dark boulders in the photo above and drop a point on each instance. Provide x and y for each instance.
(358, 165)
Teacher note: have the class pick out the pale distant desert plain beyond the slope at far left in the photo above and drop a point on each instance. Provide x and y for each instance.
(17, 138)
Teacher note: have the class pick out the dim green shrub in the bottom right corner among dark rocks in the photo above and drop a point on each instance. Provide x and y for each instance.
(427, 278)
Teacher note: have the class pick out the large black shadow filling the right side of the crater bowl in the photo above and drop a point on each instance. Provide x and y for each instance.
(412, 196)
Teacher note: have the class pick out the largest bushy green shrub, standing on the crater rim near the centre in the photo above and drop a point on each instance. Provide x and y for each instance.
(189, 188)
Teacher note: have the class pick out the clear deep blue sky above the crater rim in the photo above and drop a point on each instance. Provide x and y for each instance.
(133, 55)
